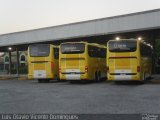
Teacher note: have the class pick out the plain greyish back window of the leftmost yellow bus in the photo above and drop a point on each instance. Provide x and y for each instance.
(41, 50)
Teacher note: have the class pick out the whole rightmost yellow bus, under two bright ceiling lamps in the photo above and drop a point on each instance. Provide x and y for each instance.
(128, 59)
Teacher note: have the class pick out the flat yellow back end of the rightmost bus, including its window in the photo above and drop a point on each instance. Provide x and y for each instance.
(122, 60)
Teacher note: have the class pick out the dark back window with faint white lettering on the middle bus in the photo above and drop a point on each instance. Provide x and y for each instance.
(72, 48)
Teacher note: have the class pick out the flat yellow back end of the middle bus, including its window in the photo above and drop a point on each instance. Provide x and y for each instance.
(73, 61)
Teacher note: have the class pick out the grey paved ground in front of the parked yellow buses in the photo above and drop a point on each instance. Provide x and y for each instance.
(22, 96)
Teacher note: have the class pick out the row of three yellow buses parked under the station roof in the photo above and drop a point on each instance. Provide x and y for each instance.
(119, 60)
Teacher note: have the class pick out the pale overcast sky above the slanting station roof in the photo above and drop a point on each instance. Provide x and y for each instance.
(20, 15)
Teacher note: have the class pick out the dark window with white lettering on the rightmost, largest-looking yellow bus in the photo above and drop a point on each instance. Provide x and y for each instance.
(122, 46)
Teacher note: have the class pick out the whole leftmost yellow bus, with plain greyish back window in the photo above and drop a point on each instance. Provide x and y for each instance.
(43, 62)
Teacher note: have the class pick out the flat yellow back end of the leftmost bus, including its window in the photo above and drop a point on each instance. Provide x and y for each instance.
(40, 62)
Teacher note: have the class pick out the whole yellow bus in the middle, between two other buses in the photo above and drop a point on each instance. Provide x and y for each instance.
(82, 61)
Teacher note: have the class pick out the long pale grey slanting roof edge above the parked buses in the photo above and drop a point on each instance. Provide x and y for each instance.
(117, 24)
